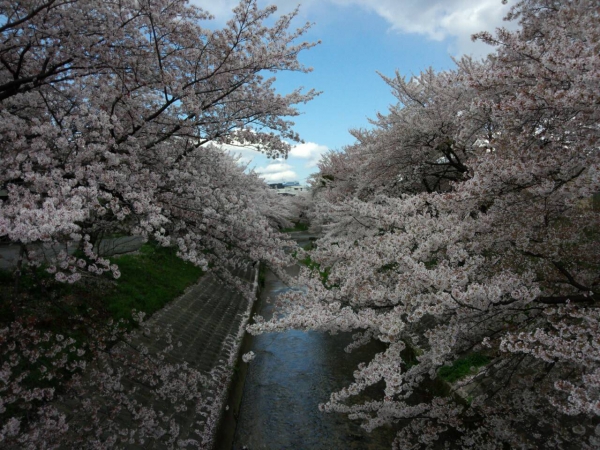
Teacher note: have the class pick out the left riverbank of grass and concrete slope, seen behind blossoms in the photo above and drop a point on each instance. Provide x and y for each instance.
(206, 325)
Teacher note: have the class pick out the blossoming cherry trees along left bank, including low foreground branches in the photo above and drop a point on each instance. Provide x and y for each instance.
(112, 118)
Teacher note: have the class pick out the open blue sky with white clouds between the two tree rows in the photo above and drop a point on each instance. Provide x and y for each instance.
(358, 39)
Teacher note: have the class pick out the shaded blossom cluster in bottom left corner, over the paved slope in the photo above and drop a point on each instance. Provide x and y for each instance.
(95, 378)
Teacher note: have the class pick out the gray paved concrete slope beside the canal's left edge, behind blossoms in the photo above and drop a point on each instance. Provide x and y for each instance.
(208, 321)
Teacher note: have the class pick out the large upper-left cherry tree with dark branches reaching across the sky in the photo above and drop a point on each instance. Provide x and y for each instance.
(106, 112)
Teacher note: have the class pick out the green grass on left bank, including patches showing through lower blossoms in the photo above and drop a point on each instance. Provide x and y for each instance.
(149, 280)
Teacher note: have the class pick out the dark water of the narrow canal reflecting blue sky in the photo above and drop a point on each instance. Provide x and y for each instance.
(292, 373)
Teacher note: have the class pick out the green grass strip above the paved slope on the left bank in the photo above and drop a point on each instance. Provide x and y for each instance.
(149, 280)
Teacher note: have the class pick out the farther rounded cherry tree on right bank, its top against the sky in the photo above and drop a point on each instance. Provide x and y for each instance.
(423, 144)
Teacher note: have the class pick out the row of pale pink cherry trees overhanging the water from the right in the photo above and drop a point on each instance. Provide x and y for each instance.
(461, 223)
